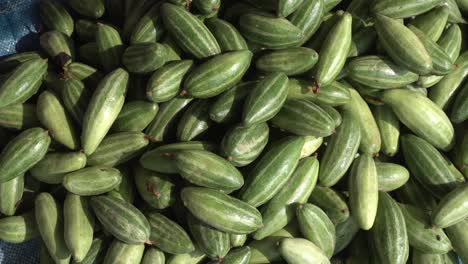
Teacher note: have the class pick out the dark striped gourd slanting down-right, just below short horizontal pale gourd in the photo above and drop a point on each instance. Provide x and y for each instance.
(121, 219)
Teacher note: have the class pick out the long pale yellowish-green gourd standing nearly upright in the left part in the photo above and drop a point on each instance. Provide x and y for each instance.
(104, 107)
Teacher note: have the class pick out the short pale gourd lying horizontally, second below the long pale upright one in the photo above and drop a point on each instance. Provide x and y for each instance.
(92, 180)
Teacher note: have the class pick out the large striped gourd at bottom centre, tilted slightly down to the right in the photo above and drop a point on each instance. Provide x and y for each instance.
(229, 214)
